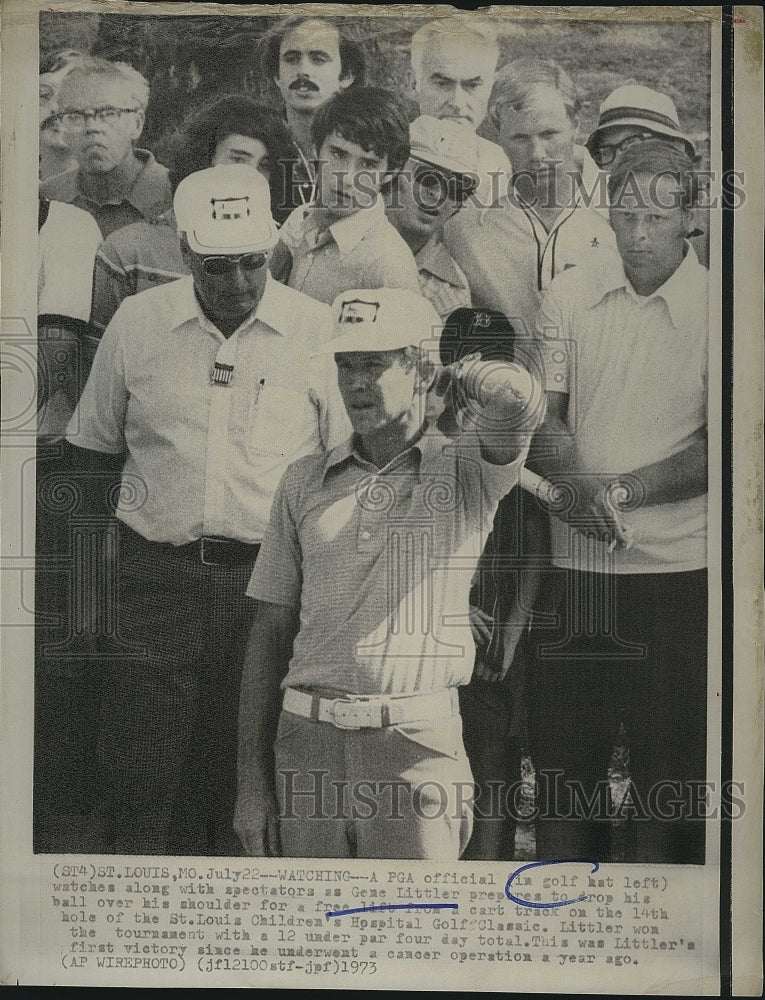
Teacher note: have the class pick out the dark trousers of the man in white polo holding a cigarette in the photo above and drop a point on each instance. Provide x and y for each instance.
(628, 650)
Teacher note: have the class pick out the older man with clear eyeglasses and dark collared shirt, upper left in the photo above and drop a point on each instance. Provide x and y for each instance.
(101, 107)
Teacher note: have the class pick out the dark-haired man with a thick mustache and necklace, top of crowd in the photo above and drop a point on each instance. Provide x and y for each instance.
(309, 60)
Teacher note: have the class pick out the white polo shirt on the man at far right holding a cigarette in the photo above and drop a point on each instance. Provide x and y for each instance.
(635, 372)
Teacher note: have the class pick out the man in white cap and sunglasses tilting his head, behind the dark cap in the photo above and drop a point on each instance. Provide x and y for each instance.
(438, 177)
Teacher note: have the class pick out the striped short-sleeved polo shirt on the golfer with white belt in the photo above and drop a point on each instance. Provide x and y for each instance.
(399, 545)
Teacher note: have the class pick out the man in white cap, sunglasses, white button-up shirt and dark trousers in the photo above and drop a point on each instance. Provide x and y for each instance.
(202, 391)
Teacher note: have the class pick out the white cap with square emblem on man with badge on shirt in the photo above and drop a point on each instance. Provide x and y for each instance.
(226, 209)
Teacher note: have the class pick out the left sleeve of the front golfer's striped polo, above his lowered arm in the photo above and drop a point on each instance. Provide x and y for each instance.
(278, 573)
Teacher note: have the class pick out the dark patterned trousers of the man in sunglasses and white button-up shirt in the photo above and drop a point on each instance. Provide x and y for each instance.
(168, 727)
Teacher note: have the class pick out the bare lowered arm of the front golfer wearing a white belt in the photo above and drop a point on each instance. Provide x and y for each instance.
(256, 819)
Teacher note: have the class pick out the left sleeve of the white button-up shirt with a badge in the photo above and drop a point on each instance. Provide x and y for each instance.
(98, 422)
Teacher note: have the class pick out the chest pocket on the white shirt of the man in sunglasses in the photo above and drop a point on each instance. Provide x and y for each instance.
(283, 422)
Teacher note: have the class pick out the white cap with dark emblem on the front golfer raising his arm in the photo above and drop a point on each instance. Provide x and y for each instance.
(382, 319)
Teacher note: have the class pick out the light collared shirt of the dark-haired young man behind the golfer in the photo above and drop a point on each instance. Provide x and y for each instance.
(362, 250)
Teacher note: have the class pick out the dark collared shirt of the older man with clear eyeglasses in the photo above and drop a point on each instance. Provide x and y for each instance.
(149, 195)
